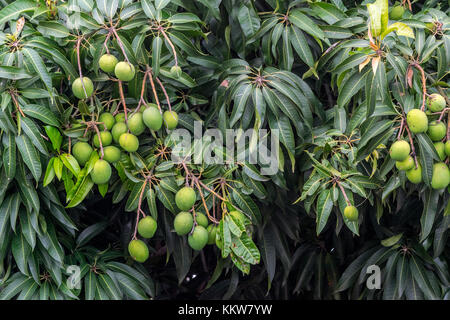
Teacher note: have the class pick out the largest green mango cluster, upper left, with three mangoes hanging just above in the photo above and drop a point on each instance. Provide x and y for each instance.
(116, 134)
